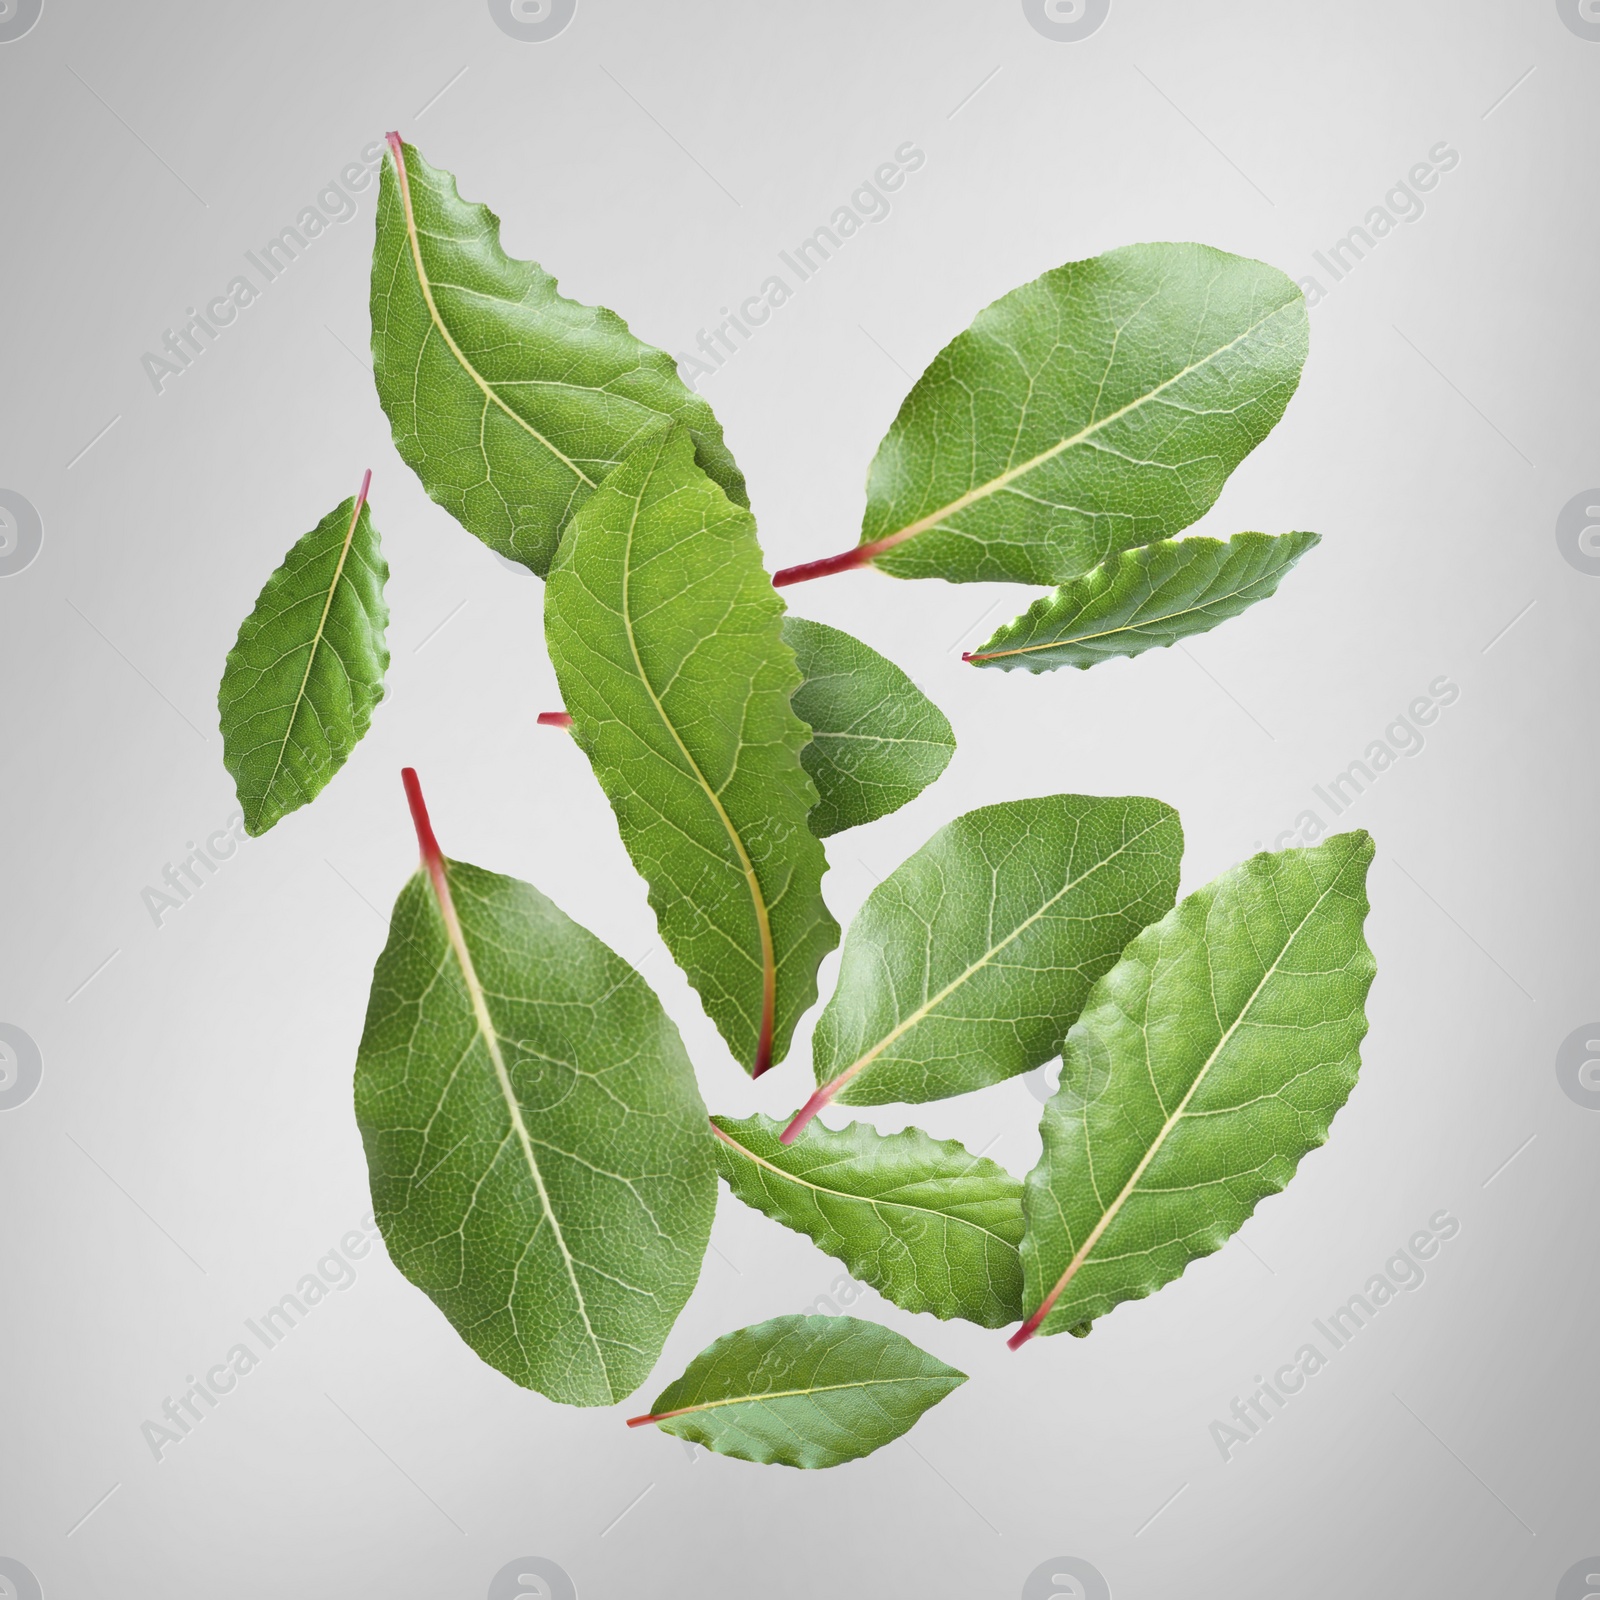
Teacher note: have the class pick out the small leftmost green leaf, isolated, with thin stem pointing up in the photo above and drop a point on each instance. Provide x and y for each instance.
(302, 681)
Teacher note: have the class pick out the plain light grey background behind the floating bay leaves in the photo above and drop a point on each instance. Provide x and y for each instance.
(191, 1150)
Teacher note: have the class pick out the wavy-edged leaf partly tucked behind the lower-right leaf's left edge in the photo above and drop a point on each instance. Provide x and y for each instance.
(922, 1222)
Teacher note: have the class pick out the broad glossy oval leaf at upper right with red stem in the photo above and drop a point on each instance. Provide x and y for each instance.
(1097, 409)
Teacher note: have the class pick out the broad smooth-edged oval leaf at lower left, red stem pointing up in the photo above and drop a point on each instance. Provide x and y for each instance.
(534, 1134)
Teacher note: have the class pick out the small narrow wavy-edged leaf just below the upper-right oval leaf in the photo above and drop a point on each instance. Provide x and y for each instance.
(1145, 599)
